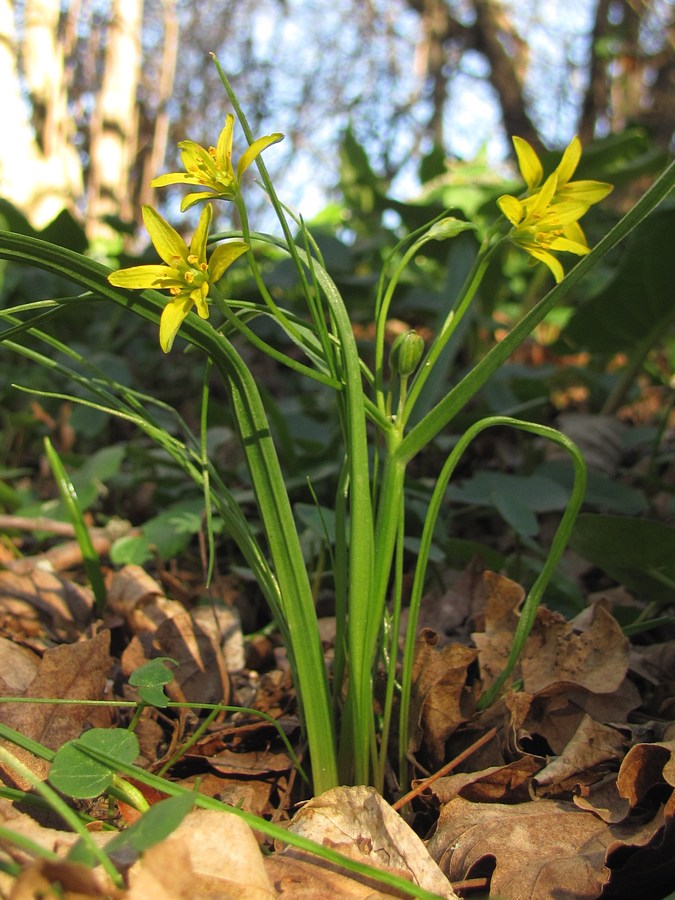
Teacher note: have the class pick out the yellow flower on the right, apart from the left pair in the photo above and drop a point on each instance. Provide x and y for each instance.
(546, 220)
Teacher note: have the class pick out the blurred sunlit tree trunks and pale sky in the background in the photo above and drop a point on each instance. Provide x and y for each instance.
(98, 92)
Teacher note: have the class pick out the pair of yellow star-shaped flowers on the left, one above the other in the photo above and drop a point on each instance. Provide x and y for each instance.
(187, 273)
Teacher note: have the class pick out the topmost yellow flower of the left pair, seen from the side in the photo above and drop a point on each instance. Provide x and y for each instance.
(212, 169)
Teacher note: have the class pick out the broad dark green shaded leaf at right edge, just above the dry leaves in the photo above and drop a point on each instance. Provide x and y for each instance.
(638, 553)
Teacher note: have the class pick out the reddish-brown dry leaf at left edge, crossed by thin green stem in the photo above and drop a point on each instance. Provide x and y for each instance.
(68, 672)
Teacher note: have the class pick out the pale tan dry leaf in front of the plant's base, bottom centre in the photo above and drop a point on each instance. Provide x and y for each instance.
(360, 824)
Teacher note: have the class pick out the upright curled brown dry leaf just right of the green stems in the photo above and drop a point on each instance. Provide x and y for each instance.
(440, 700)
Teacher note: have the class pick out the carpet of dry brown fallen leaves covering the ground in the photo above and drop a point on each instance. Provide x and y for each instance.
(564, 787)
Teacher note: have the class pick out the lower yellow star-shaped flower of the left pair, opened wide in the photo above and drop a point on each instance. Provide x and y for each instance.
(187, 274)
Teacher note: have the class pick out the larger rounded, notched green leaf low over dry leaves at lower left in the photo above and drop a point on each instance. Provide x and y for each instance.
(77, 775)
